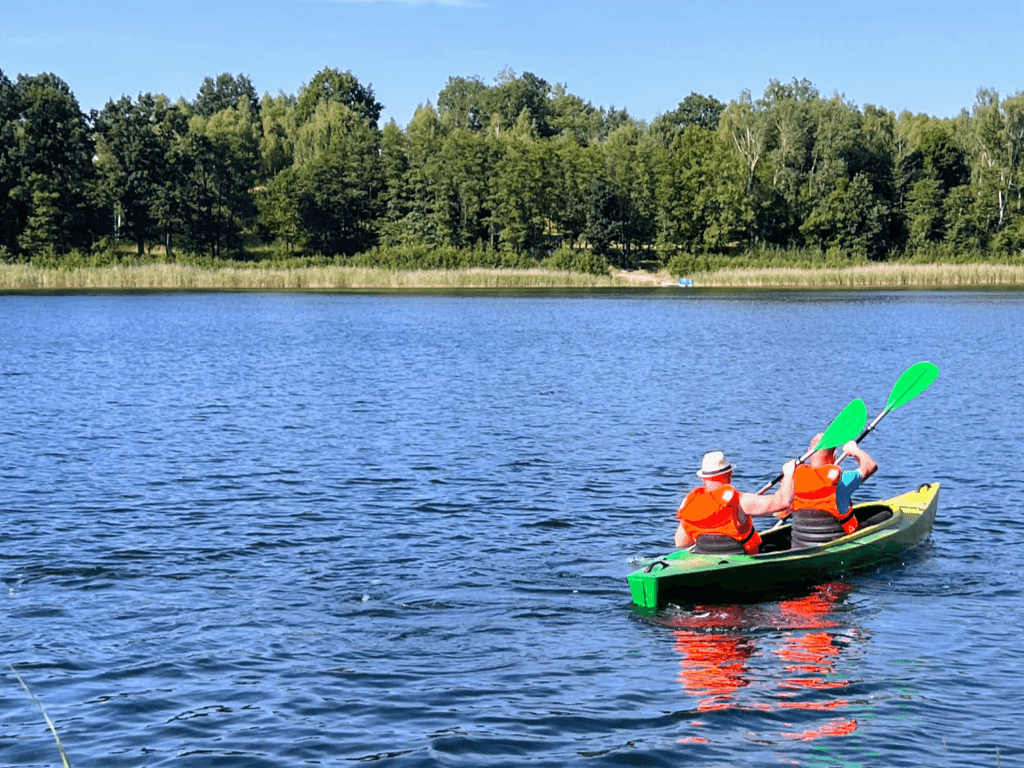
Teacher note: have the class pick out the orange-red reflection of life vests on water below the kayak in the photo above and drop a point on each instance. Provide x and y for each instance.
(718, 644)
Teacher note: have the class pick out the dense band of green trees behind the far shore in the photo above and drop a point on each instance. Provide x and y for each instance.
(509, 173)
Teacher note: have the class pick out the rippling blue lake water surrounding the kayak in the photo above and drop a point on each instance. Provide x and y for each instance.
(278, 530)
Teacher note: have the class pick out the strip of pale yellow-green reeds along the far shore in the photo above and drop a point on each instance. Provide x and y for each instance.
(174, 277)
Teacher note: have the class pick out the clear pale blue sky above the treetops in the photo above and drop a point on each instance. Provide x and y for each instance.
(645, 56)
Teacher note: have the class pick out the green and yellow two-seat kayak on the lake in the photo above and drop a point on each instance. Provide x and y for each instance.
(886, 530)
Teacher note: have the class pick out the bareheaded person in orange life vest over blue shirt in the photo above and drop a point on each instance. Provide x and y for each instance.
(823, 501)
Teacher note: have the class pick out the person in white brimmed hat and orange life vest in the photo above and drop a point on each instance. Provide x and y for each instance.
(716, 518)
